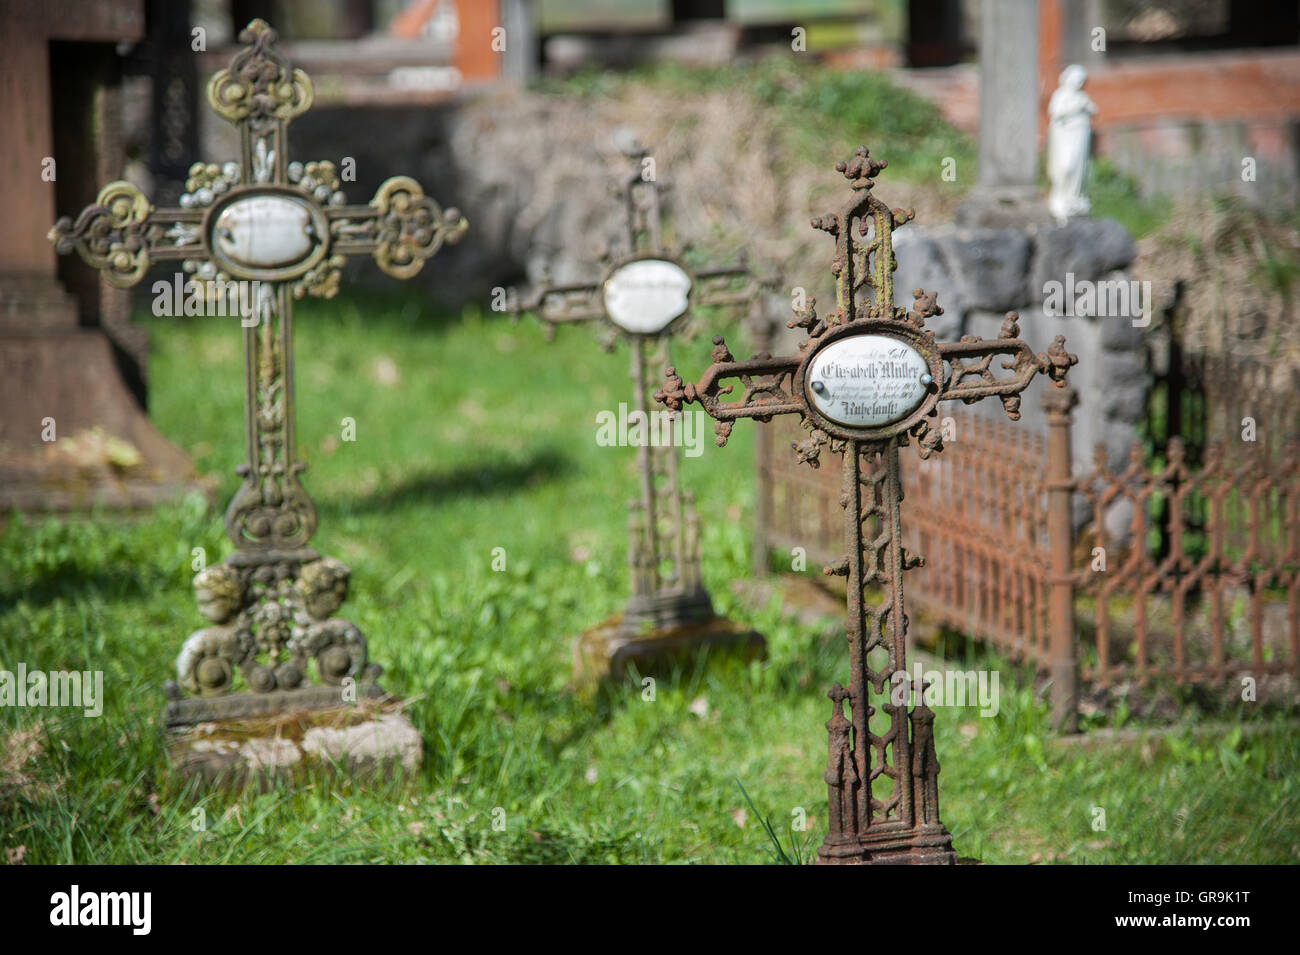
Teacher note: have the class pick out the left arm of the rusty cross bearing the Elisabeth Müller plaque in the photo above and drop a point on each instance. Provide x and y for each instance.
(768, 389)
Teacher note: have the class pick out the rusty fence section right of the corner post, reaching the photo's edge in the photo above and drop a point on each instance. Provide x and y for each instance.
(1208, 583)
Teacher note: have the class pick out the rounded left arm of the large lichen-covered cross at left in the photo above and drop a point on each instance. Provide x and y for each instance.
(122, 235)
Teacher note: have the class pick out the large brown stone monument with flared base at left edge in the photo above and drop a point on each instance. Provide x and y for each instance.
(73, 432)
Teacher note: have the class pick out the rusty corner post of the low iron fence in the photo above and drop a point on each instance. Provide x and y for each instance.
(1063, 649)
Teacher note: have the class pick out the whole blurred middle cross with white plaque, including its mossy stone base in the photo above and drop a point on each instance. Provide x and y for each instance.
(645, 297)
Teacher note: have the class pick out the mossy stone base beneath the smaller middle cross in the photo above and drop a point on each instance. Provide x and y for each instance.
(605, 653)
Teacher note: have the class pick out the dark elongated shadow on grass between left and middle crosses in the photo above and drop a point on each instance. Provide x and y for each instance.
(478, 481)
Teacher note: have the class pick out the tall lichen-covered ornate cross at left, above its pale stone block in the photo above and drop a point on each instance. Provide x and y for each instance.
(283, 231)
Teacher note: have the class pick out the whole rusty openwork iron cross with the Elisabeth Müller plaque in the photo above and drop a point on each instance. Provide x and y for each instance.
(869, 377)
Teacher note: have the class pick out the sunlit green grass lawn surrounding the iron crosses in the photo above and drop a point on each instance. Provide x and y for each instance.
(488, 441)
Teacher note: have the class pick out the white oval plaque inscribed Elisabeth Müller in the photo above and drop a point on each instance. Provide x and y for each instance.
(868, 381)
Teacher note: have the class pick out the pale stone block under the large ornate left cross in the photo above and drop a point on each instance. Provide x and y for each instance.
(372, 740)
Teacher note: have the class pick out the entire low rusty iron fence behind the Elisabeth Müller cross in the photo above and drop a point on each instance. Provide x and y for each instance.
(1189, 572)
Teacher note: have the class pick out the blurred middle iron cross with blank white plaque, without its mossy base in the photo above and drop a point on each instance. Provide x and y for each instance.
(647, 296)
